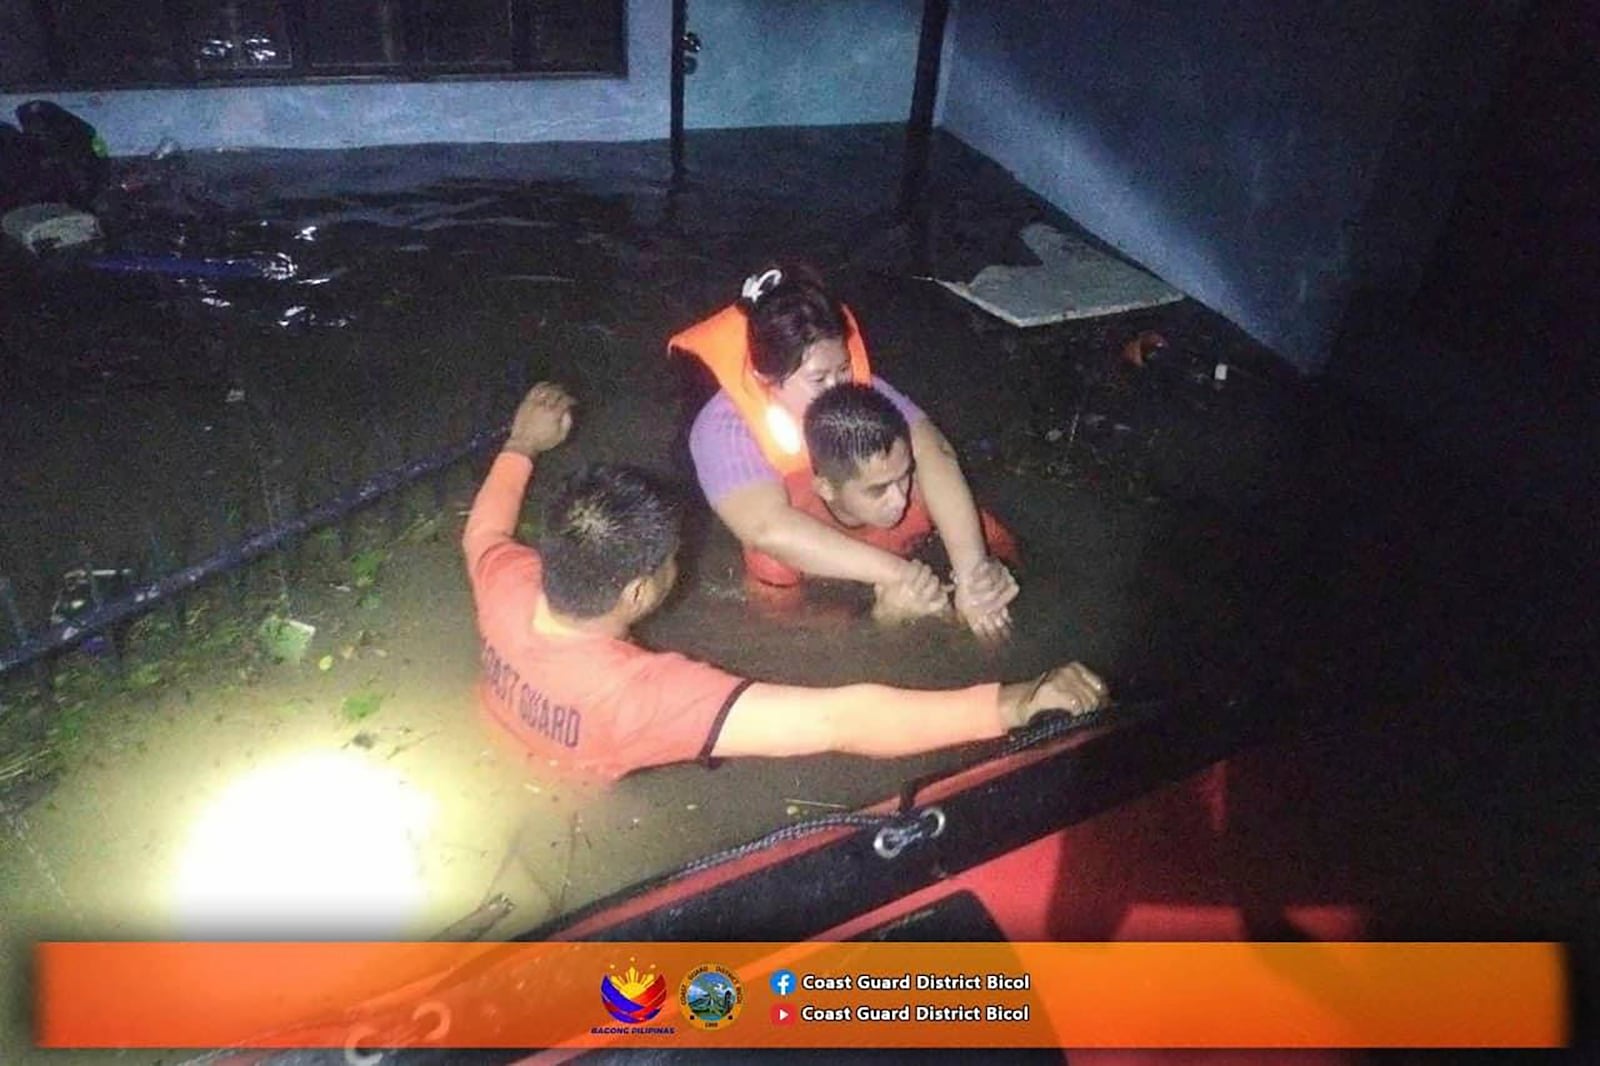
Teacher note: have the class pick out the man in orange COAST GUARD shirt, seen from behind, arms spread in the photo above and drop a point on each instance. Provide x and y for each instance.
(562, 678)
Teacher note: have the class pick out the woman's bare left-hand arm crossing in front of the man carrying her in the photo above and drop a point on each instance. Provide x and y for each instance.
(759, 515)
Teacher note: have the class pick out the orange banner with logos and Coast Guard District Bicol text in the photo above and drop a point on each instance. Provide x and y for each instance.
(367, 996)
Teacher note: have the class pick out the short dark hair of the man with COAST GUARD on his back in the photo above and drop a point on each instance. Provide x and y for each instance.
(609, 526)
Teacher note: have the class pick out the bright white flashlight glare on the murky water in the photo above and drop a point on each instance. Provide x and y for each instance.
(319, 848)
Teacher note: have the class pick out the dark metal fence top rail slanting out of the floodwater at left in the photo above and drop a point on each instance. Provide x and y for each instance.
(33, 647)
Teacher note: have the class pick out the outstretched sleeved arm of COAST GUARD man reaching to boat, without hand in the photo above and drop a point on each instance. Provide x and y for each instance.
(874, 721)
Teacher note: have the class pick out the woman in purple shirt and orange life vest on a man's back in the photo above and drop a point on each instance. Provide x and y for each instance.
(778, 348)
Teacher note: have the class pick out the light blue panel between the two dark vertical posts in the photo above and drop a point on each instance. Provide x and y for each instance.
(788, 63)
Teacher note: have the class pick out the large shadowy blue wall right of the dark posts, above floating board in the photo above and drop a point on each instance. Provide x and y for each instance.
(1271, 159)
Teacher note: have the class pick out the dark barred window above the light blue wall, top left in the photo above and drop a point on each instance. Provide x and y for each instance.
(127, 44)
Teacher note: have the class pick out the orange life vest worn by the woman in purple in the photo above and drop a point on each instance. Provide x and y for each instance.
(724, 345)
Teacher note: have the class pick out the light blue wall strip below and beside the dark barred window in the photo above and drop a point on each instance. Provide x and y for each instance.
(345, 116)
